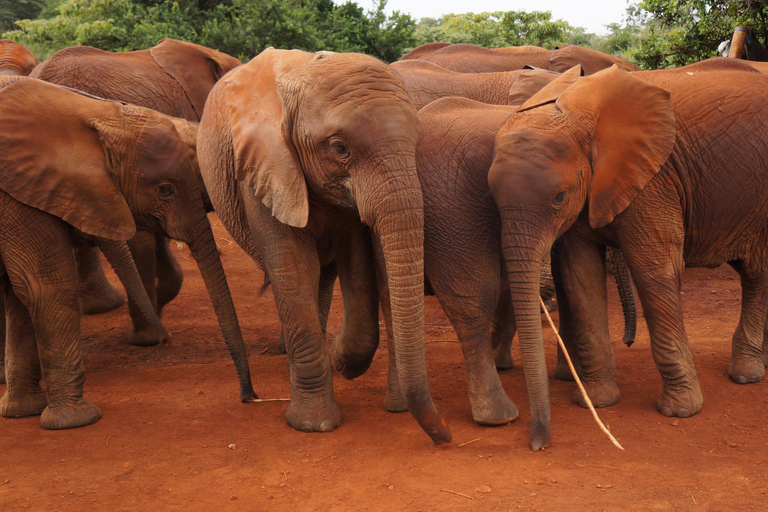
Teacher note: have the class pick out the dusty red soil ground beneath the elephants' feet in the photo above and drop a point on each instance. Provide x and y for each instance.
(175, 436)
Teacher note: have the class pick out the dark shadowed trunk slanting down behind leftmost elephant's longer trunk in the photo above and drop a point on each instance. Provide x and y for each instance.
(119, 256)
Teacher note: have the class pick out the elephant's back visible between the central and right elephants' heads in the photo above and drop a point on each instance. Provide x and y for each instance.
(426, 82)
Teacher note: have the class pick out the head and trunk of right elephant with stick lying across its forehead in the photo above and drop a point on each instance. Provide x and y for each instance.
(594, 141)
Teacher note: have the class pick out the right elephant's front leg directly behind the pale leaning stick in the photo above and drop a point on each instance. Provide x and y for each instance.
(578, 268)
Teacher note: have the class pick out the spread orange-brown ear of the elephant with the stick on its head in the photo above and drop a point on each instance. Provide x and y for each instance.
(633, 136)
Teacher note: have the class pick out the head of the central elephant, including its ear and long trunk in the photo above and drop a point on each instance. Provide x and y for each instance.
(339, 130)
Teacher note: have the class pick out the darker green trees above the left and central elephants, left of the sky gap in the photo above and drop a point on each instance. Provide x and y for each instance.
(241, 28)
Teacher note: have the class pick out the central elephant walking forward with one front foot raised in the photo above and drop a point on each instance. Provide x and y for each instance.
(306, 157)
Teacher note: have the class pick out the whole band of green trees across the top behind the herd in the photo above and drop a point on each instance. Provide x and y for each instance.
(654, 33)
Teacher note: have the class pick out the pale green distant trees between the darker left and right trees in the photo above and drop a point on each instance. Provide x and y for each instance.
(497, 29)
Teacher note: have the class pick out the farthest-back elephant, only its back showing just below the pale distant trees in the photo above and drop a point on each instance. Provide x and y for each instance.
(476, 59)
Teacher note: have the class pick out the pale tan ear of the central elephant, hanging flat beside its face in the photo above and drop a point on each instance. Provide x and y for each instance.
(265, 158)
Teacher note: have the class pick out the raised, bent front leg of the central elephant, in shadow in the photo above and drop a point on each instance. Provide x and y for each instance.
(355, 345)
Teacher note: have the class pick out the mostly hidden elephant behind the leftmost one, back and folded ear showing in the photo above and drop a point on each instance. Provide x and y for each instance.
(173, 78)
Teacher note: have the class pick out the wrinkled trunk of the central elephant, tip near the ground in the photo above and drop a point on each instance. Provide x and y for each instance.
(394, 209)
